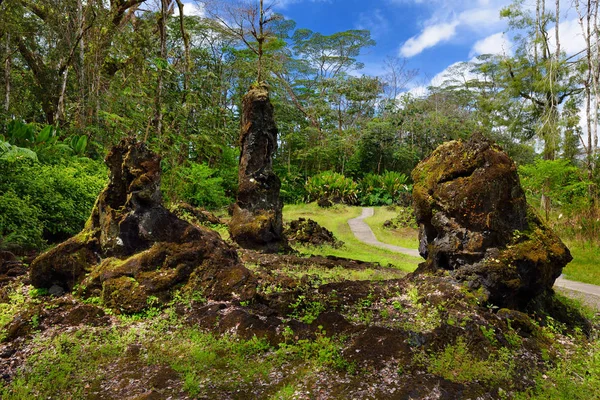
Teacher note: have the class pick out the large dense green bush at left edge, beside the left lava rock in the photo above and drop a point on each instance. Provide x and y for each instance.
(58, 198)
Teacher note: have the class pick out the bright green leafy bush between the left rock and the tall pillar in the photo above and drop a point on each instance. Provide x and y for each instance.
(197, 184)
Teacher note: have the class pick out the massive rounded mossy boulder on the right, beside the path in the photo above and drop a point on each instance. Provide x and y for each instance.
(474, 221)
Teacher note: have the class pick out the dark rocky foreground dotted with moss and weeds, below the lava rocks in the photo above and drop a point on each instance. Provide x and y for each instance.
(322, 336)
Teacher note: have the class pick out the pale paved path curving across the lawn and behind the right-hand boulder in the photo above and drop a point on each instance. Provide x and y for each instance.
(363, 232)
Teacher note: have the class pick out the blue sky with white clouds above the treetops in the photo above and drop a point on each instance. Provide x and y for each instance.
(431, 34)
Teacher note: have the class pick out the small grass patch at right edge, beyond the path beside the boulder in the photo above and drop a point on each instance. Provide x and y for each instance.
(585, 266)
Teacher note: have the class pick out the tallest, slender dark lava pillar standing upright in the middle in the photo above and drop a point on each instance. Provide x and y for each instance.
(257, 222)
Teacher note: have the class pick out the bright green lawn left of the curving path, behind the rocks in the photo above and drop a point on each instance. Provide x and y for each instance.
(336, 220)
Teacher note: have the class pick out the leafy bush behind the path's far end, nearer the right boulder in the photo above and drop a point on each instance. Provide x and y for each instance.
(389, 188)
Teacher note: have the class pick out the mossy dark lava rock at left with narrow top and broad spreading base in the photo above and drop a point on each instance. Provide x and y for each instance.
(133, 250)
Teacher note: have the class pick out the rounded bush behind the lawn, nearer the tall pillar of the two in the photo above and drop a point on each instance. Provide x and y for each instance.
(333, 186)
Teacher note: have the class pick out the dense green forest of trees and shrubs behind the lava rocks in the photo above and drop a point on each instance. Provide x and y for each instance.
(76, 77)
